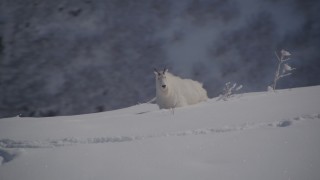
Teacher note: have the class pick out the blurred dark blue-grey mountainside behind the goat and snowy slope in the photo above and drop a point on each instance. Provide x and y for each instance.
(67, 57)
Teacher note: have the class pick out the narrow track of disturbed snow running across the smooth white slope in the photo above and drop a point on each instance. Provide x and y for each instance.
(8, 143)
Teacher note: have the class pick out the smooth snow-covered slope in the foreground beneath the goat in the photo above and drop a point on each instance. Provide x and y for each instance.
(265, 135)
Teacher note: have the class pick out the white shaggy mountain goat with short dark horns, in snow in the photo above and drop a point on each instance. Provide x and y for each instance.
(172, 91)
